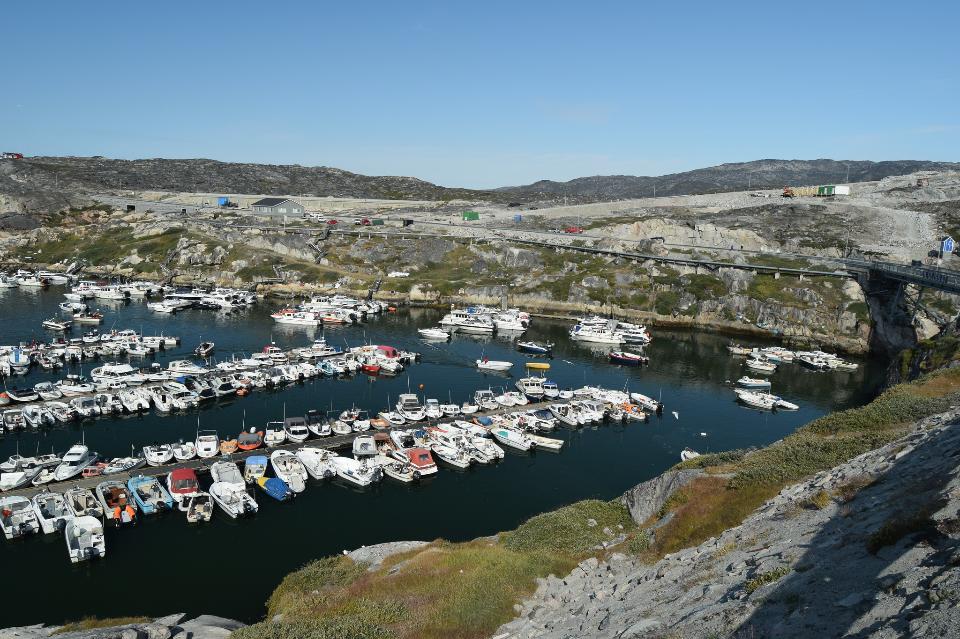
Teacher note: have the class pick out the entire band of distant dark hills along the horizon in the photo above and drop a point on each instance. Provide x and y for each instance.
(44, 184)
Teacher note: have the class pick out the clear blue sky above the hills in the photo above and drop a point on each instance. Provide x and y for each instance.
(483, 94)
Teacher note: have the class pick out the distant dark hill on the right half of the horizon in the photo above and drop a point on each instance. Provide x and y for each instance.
(726, 177)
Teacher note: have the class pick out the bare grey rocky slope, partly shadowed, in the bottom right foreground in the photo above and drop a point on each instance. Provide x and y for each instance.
(870, 548)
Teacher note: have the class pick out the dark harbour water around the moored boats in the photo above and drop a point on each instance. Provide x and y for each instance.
(230, 567)
